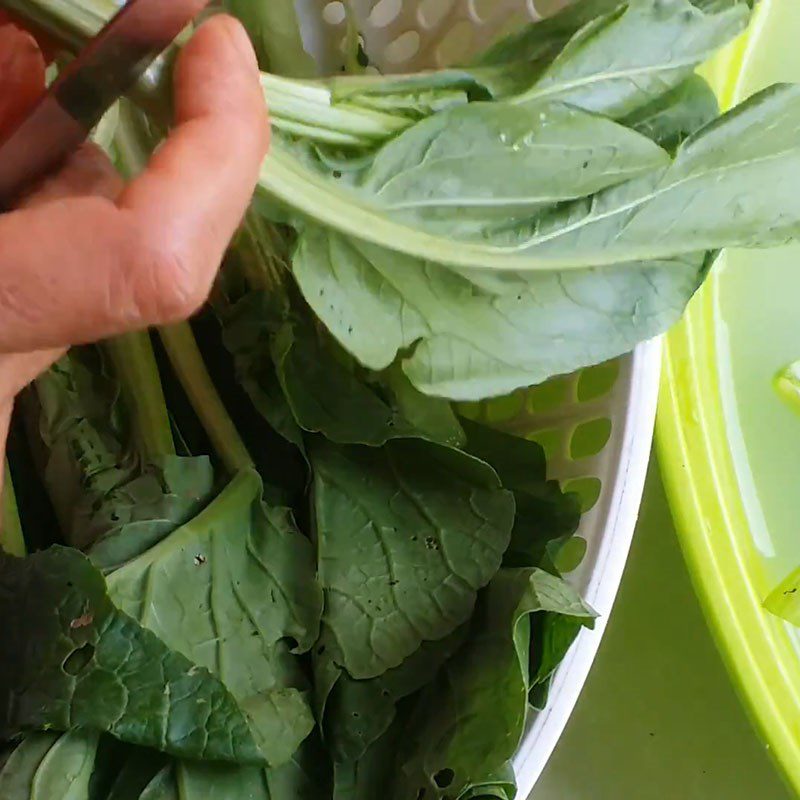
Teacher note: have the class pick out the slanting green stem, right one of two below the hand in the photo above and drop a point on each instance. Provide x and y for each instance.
(187, 361)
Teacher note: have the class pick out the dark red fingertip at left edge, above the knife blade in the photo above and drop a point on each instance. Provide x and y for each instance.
(22, 77)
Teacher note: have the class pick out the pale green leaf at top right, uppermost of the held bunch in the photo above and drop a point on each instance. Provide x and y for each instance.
(624, 60)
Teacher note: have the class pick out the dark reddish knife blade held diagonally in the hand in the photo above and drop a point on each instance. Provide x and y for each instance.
(104, 71)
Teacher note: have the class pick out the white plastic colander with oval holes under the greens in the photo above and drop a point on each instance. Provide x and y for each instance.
(597, 425)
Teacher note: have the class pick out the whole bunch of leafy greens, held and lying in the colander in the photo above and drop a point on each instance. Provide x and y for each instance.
(286, 566)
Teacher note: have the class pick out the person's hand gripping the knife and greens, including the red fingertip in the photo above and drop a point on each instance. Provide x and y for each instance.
(84, 256)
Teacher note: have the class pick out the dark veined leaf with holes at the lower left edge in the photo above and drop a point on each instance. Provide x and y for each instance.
(72, 660)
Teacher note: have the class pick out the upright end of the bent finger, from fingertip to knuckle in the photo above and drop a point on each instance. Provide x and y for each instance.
(198, 185)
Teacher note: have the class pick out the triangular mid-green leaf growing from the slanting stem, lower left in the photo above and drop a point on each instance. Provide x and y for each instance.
(239, 584)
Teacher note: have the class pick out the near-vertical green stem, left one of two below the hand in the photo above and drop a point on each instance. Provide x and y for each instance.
(137, 372)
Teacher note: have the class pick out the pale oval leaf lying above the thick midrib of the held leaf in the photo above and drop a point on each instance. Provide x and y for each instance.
(510, 162)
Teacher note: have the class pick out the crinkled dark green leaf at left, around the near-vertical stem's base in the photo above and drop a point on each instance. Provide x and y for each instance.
(107, 500)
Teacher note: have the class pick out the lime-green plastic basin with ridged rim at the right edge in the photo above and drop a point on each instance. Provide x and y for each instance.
(728, 444)
